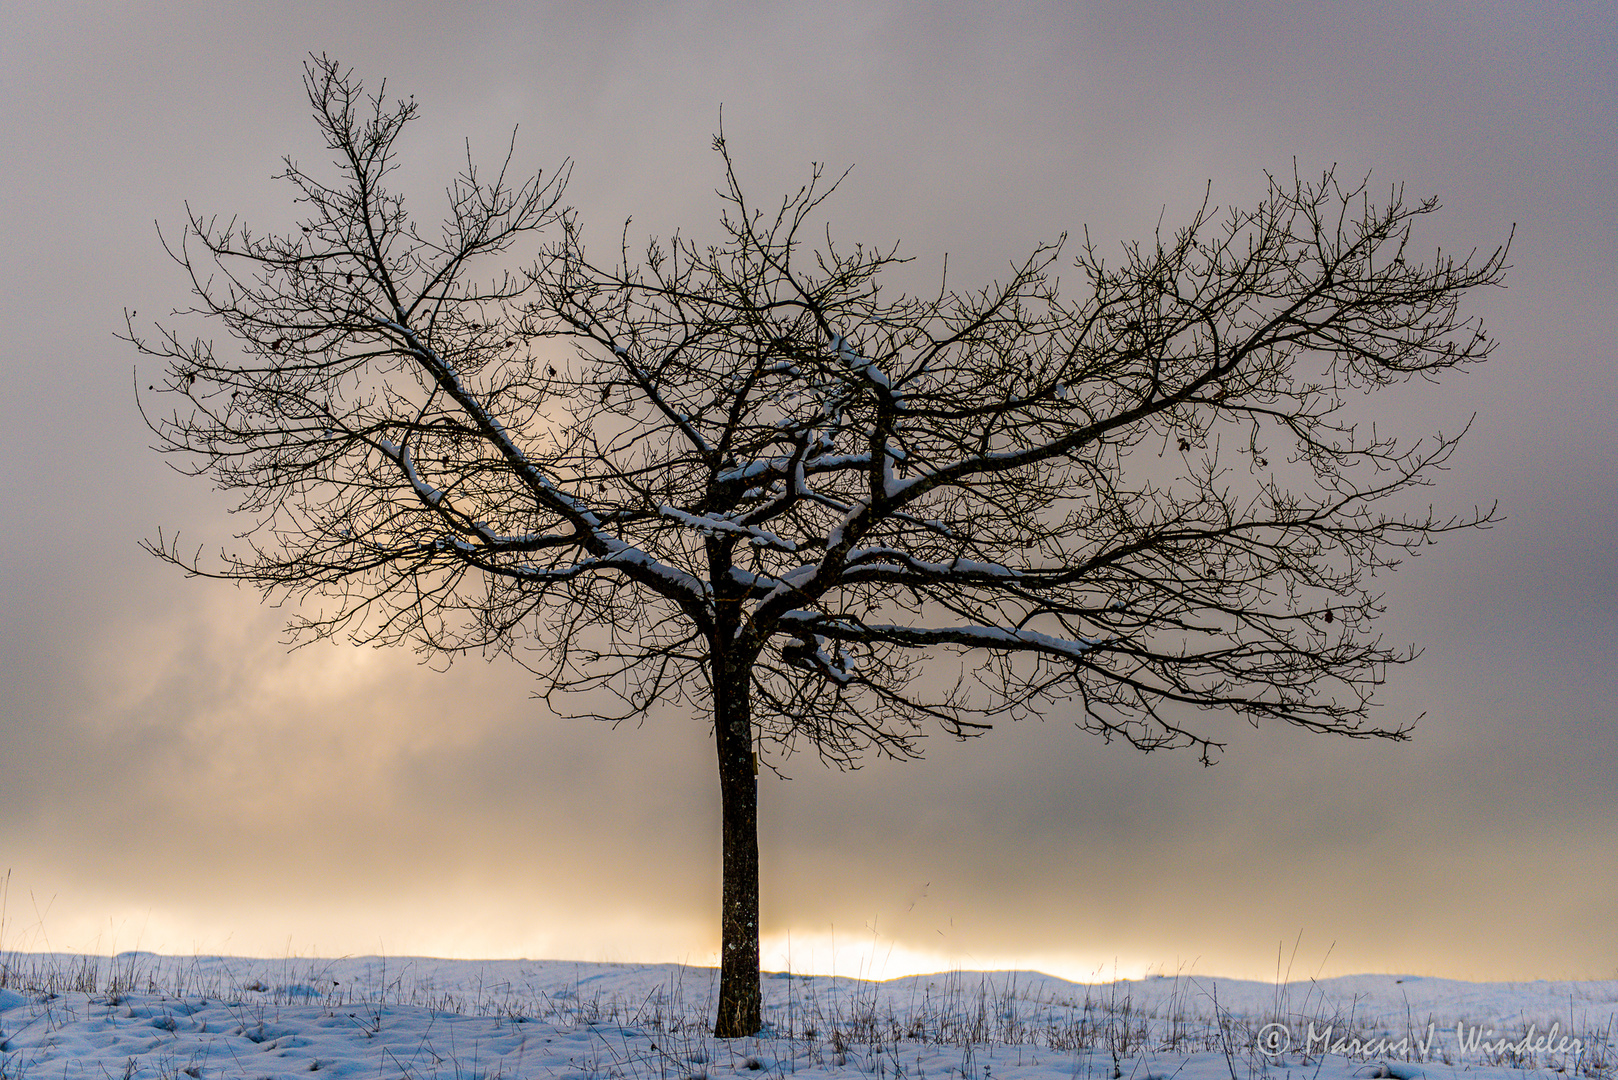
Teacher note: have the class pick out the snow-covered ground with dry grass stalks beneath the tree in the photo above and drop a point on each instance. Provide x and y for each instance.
(142, 1016)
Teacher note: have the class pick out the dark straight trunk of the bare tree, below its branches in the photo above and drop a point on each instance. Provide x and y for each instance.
(740, 1001)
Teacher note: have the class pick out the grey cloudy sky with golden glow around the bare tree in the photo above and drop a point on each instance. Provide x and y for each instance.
(172, 780)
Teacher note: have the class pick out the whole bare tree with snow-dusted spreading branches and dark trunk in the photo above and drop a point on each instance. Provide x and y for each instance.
(743, 480)
